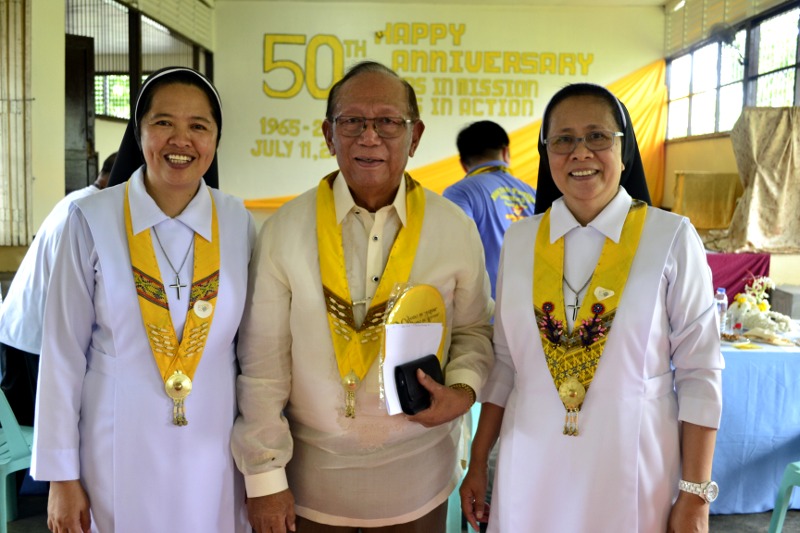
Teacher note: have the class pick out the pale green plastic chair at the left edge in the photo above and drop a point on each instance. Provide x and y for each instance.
(15, 455)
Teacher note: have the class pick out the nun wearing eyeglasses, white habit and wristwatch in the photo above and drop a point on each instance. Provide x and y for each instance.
(606, 391)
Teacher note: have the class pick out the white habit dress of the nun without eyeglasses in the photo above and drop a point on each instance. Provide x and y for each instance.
(103, 415)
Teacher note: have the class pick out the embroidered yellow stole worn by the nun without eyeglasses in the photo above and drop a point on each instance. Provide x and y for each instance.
(176, 362)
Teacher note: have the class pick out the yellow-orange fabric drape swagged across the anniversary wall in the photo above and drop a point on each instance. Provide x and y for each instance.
(644, 93)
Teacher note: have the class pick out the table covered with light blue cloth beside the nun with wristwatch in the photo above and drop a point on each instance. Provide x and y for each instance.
(760, 429)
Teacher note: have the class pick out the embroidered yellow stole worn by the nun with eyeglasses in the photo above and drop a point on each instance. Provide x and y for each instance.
(572, 358)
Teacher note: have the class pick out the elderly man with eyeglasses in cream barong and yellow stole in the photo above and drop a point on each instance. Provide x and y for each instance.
(318, 449)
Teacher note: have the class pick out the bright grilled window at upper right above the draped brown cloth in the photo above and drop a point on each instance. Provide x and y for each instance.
(753, 64)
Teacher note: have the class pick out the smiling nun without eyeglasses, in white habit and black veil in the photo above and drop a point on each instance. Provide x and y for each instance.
(138, 369)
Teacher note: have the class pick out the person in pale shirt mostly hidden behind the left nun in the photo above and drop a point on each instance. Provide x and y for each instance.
(22, 311)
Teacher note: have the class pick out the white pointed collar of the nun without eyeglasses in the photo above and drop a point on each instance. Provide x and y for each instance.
(145, 213)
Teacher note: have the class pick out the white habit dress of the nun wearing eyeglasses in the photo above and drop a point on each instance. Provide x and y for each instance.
(661, 365)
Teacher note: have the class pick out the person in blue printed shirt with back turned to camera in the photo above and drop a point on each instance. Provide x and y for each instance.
(489, 194)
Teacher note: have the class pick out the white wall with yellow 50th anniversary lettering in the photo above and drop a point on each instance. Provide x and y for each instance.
(611, 43)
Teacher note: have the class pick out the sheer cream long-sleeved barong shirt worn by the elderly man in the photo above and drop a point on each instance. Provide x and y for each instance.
(373, 469)
